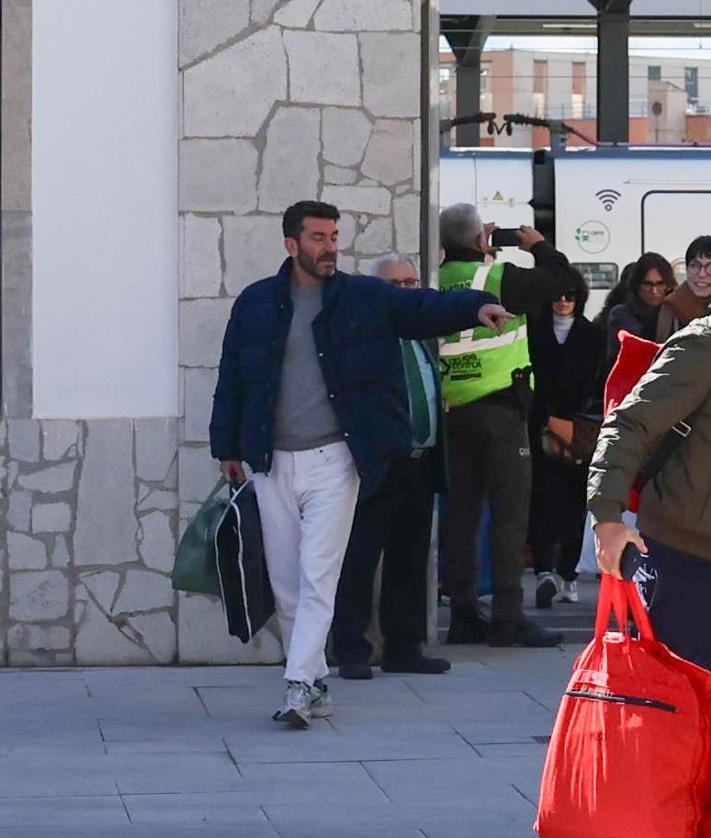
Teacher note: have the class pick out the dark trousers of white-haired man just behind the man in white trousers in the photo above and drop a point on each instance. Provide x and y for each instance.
(395, 521)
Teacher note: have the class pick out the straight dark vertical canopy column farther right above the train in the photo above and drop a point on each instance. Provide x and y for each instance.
(613, 76)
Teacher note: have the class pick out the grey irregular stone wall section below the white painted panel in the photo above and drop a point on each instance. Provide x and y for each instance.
(90, 512)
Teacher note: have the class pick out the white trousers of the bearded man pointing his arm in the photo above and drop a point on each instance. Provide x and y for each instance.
(306, 503)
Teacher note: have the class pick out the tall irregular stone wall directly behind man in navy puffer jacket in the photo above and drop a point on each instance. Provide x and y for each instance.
(281, 101)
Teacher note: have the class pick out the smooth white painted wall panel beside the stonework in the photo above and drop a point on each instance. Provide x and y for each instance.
(104, 166)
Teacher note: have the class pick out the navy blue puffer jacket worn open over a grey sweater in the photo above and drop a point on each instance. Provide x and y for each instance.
(356, 336)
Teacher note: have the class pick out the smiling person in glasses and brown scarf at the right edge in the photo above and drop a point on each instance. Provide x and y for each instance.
(691, 298)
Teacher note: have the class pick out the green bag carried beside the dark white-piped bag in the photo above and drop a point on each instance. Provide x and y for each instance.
(195, 568)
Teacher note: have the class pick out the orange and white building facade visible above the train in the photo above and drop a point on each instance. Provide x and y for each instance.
(670, 98)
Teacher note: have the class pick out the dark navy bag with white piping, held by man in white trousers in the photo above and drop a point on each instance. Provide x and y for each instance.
(241, 566)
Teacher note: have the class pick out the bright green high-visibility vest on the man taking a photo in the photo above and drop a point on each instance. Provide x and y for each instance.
(479, 362)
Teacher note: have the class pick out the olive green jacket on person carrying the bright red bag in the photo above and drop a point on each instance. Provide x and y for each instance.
(675, 506)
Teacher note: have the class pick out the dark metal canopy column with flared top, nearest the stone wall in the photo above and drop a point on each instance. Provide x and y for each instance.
(467, 36)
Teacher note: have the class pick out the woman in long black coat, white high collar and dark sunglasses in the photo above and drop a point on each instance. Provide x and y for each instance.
(567, 354)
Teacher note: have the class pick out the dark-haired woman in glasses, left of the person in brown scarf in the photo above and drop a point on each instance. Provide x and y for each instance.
(652, 280)
